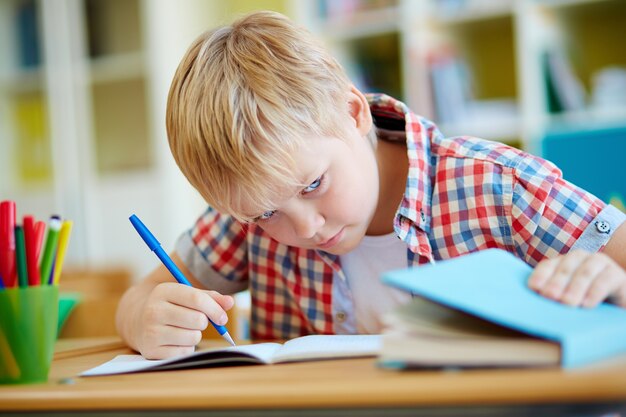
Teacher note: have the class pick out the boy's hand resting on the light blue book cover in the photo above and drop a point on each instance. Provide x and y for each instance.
(580, 278)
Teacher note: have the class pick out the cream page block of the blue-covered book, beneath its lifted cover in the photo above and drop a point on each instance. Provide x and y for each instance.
(424, 334)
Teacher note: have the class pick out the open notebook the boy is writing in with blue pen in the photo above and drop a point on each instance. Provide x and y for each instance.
(300, 349)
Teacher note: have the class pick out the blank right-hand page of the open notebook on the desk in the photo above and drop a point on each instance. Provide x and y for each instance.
(327, 347)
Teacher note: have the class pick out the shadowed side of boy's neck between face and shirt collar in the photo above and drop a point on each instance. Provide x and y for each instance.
(393, 166)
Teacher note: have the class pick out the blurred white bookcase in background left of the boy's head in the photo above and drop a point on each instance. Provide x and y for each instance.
(82, 119)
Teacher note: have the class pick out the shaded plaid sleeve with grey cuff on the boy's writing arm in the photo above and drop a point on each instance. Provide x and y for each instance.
(215, 251)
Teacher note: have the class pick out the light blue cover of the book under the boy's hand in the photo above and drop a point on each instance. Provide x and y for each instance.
(492, 285)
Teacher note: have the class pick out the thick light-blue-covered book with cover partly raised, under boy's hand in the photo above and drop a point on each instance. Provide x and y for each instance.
(478, 311)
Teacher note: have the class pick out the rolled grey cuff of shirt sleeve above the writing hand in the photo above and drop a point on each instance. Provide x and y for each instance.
(201, 269)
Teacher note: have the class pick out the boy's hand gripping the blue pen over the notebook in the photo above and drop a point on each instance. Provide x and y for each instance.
(173, 317)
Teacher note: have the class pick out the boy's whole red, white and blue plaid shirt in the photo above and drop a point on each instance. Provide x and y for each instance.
(463, 194)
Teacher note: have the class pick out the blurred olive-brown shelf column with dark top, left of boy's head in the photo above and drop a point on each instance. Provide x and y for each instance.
(117, 74)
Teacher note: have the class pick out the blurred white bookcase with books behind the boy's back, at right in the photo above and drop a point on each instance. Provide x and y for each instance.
(478, 67)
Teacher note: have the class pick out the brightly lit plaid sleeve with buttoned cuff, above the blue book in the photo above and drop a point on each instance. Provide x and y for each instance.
(551, 216)
